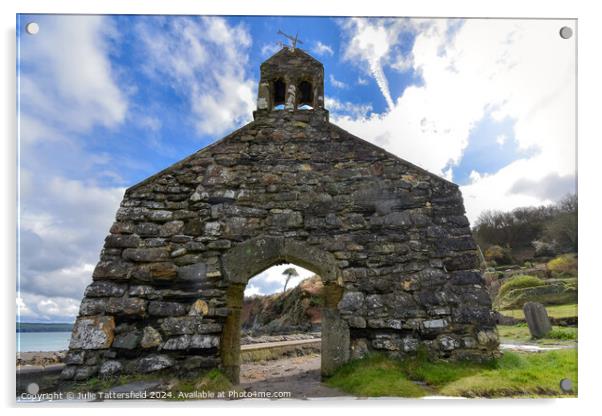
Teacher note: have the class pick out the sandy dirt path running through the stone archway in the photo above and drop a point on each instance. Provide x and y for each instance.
(298, 375)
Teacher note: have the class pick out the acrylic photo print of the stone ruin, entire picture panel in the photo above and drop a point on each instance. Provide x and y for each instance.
(241, 207)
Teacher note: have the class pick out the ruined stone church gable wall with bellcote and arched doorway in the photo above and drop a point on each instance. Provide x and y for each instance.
(389, 240)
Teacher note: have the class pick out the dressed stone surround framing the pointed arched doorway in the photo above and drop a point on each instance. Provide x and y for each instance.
(254, 256)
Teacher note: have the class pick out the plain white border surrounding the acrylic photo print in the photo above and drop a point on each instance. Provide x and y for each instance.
(589, 72)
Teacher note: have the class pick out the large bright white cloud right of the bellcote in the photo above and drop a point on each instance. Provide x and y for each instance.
(516, 69)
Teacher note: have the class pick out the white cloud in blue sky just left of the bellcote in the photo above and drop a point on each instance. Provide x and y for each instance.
(205, 60)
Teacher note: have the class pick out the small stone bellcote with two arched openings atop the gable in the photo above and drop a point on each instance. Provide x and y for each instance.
(291, 80)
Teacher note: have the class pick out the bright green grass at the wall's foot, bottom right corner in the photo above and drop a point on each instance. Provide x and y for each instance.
(512, 375)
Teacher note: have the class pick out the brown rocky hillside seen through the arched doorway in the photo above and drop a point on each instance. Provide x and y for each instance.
(296, 310)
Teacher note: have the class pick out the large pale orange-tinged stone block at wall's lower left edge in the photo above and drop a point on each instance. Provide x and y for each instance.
(92, 333)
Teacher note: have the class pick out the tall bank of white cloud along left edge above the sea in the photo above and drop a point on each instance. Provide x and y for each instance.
(68, 87)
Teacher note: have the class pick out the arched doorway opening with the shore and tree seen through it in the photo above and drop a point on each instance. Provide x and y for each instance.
(281, 327)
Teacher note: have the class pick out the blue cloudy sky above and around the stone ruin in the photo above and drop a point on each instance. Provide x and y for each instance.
(106, 101)
